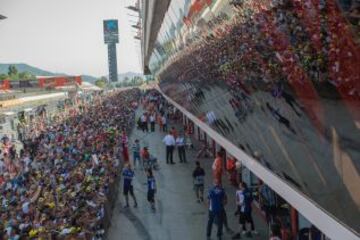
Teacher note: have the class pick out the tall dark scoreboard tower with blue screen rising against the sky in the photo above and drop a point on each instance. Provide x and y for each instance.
(111, 38)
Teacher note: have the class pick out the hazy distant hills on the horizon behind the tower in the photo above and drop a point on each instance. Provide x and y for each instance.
(22, 67)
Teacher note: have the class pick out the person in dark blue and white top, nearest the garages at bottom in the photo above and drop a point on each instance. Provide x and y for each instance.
(244, 201)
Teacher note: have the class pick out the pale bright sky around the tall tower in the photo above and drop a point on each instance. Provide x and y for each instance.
(66, 36)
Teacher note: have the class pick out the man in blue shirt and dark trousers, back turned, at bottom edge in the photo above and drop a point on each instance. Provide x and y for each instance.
(217, 200)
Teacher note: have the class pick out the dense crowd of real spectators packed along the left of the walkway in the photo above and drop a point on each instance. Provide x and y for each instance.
(58, 185)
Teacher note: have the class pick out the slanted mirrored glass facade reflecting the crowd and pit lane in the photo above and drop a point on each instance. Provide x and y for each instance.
(281, 77)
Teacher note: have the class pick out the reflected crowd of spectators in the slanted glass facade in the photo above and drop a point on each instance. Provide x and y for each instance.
(301, 48)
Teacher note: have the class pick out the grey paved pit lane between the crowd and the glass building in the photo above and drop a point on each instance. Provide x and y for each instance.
(178, 215)
